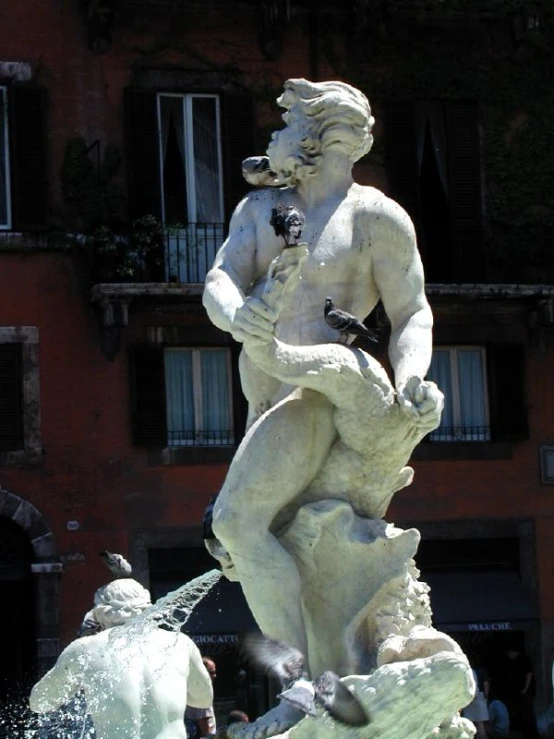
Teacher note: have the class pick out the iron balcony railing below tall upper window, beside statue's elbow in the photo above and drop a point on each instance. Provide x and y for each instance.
(190, 251)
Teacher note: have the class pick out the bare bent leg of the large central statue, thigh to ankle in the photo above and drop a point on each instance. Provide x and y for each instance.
(277, 460)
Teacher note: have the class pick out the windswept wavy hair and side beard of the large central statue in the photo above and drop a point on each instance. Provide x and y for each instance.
(337, 116)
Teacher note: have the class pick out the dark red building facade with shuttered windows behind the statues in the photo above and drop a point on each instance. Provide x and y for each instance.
(108, 109)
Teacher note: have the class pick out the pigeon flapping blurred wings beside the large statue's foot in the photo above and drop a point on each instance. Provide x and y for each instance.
(287, 664)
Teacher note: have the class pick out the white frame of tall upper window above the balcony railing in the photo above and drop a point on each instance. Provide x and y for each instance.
(188, 99)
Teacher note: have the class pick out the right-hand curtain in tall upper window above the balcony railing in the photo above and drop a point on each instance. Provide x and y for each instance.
(206, 161)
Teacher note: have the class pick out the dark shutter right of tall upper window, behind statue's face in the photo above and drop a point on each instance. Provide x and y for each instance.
(239, 142)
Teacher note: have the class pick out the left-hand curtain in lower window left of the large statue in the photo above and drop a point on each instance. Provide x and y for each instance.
(179, 392)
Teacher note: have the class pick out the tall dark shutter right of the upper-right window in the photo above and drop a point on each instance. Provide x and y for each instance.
(464, 191)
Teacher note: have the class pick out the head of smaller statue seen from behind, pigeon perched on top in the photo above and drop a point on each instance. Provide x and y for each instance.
(119, 601)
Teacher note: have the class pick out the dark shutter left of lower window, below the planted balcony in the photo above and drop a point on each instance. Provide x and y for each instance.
(148, 401)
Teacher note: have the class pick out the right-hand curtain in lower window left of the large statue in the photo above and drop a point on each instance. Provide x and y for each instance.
(216, 411)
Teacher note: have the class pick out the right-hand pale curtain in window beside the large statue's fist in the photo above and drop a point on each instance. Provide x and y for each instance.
(472, 391)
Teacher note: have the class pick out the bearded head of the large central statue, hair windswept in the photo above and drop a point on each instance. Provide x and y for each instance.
(320, 116)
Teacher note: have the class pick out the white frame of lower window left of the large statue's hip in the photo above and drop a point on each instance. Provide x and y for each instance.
(199, 432)
